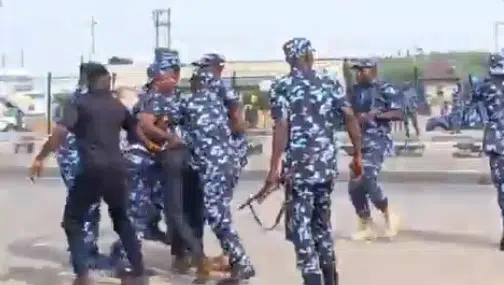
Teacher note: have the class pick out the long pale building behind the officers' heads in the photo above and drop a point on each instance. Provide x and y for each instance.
(247, 75)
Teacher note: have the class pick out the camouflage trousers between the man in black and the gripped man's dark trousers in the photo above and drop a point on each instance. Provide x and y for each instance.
(144, 197)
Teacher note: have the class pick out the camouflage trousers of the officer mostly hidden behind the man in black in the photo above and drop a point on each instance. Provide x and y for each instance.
(91, 225)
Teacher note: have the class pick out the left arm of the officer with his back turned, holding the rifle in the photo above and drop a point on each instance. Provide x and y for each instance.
(279, 114)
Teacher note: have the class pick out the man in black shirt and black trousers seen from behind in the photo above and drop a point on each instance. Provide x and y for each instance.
(96, 120)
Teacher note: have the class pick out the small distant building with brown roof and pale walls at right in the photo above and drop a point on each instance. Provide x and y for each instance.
(440, 80)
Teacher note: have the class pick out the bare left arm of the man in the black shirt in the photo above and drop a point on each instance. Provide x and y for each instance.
(67, 122)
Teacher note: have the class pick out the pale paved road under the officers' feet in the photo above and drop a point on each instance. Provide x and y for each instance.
(449, 238)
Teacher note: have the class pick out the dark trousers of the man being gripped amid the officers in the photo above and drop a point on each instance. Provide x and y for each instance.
(173, 163)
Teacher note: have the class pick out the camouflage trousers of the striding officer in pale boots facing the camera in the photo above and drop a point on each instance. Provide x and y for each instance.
(367, 188)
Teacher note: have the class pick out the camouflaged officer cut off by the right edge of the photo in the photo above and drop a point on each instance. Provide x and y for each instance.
(492, 95)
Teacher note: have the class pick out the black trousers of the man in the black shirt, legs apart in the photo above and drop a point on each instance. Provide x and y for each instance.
(90, 186)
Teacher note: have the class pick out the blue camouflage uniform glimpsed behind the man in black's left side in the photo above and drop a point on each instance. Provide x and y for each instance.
(67, 157)
